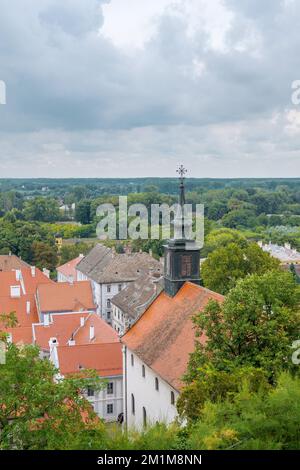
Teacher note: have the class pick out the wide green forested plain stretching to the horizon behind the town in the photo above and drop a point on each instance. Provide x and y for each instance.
(34, 213)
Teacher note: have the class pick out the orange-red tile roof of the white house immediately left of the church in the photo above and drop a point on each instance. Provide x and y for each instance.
(105, 358)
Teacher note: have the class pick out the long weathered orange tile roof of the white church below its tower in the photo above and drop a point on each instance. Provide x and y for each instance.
(164, 336)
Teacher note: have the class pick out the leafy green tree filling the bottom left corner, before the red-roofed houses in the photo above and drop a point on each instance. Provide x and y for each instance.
(38, 412)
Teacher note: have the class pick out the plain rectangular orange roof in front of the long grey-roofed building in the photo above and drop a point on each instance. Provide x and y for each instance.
(66, 297)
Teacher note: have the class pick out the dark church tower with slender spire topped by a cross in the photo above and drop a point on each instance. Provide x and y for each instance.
(182, 256)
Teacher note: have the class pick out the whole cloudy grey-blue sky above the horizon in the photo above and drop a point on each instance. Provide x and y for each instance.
(99, 88)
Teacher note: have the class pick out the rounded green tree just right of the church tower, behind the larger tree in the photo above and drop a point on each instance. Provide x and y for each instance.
(226, 265)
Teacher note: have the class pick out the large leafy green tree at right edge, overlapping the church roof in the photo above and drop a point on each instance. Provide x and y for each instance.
(248, 337)
